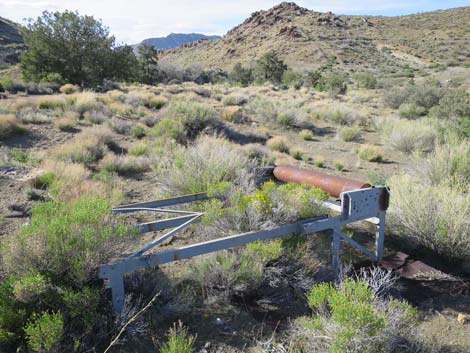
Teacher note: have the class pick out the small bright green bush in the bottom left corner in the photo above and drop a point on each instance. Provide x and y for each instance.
(44, 331)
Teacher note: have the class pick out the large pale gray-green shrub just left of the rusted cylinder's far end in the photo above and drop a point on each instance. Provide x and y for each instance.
(208, 161)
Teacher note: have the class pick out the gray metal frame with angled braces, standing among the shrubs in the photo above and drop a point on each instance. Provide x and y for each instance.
(356, 205)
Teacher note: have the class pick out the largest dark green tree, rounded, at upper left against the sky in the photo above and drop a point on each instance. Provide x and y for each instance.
(78, 48)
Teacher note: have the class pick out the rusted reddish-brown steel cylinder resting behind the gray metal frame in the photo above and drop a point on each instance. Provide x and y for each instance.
(333, 185)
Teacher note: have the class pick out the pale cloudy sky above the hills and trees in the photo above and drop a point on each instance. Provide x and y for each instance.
(131, 21)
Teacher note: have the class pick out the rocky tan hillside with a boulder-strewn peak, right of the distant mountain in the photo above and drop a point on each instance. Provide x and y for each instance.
(309, 39)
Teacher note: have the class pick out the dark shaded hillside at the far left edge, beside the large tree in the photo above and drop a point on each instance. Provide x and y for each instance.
(11, 42)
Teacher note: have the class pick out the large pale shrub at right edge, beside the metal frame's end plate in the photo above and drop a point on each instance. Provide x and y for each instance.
(434, 216)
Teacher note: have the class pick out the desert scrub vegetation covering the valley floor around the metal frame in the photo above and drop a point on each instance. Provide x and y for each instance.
(74, 144)
